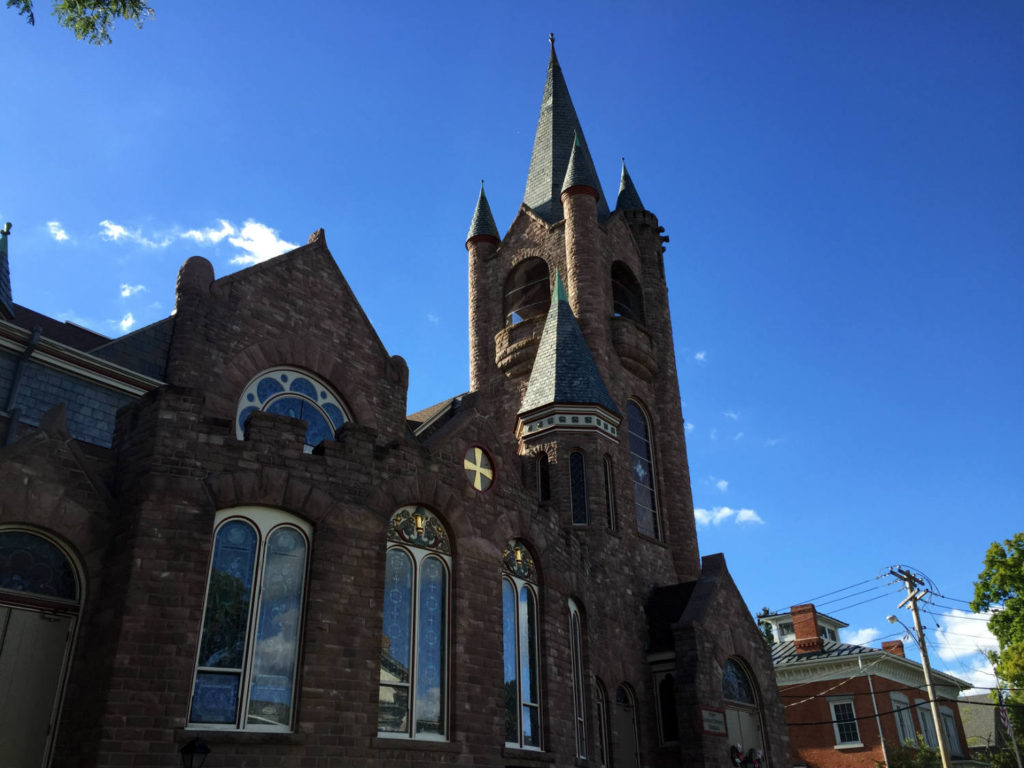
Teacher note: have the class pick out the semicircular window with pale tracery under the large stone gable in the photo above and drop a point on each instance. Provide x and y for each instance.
(295, 394)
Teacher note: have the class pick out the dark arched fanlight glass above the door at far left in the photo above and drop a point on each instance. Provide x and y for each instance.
(34, 566)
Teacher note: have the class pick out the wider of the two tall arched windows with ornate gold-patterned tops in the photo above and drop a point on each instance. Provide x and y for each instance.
(415, 641)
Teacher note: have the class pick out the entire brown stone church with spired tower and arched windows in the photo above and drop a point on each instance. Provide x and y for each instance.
(225, 532)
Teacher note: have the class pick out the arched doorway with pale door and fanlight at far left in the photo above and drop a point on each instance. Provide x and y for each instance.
(40, 598)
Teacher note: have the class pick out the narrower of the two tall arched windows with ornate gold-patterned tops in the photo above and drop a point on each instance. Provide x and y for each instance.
(521, 648)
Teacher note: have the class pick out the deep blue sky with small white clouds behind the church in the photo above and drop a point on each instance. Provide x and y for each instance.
(843, 186)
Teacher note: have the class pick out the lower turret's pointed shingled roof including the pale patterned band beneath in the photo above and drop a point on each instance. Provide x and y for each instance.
(566, 390)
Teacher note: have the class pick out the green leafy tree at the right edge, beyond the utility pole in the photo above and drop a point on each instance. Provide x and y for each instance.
(1001, 587)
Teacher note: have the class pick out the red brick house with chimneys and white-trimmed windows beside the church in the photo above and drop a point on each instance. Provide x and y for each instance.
(848, 705)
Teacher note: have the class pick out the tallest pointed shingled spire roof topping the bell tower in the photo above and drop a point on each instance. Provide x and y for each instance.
(552, 149)
